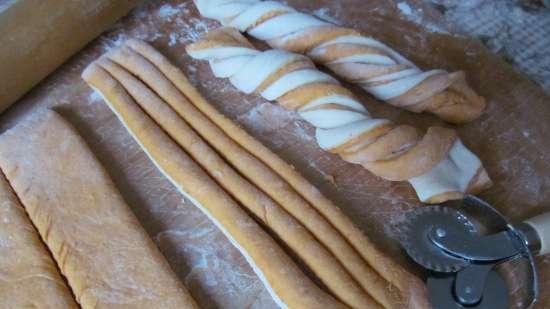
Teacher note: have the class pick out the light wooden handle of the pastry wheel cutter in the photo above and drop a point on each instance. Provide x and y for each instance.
(540, 226)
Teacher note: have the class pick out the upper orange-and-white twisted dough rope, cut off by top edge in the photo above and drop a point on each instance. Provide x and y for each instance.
(355, 57)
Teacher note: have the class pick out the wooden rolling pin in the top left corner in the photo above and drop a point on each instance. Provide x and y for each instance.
(37, 36)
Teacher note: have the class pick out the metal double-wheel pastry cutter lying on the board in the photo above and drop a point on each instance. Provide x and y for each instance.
(474, 255)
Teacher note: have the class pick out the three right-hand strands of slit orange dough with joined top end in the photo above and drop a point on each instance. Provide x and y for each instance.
(342, 257)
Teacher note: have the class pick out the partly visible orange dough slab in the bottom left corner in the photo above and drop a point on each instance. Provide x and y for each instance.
(29, 277)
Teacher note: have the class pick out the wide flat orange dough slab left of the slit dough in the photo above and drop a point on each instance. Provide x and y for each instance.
(98, 243)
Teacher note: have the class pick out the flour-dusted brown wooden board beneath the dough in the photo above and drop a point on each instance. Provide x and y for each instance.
(511, 138)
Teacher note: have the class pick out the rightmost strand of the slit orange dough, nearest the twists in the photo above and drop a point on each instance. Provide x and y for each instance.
(412, 289)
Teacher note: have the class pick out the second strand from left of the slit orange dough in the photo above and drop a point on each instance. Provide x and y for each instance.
(296, 236)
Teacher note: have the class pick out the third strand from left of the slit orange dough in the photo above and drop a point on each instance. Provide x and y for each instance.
(263, 177)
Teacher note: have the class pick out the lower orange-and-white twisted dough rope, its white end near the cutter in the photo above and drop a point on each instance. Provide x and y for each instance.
(437, 164)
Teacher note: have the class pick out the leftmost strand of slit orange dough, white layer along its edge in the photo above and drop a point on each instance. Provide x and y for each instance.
(285, 281)
